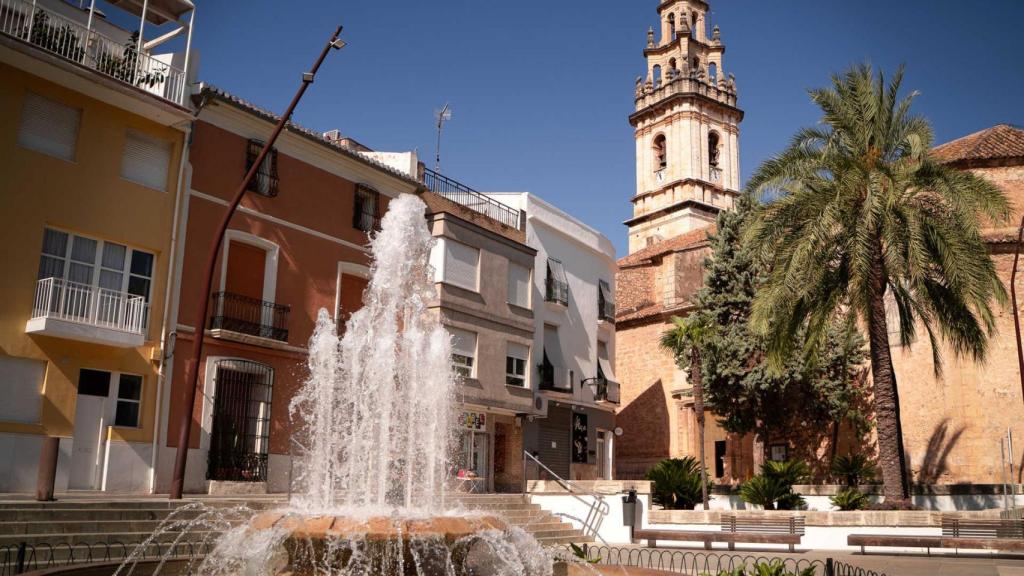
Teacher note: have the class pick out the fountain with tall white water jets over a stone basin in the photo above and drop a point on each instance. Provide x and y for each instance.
(375, 430)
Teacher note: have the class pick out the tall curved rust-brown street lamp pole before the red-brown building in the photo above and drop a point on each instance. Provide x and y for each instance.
(203, 290)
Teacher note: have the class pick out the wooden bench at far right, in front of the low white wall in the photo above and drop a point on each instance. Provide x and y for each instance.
(957, 533)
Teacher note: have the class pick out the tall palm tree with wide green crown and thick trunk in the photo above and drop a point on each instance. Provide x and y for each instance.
(864, 214)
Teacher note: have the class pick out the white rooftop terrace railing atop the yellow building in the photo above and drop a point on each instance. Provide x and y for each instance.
(73, 42)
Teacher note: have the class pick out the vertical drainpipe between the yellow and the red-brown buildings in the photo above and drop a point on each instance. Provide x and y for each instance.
(169, 326)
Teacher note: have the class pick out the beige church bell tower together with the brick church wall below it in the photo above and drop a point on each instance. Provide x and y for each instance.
(688, 138)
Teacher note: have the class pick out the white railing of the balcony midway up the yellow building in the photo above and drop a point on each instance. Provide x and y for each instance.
(60, 300)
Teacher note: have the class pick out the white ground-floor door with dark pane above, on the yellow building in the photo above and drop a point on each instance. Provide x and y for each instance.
(91, 422)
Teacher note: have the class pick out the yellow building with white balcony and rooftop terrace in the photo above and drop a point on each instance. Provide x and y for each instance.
(93, 131)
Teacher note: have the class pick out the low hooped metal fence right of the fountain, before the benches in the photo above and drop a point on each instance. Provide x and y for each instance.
(698, 563)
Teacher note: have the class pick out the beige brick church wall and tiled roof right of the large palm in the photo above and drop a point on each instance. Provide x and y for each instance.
(954, 426)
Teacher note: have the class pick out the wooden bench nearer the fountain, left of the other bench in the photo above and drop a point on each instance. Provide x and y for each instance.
(749, 530)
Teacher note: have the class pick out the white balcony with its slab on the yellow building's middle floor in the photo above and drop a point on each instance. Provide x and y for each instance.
(89, 314)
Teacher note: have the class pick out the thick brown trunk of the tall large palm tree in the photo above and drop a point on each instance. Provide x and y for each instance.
(891, 458)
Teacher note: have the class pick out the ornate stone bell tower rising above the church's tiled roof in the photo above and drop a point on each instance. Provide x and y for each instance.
(687, 129)
